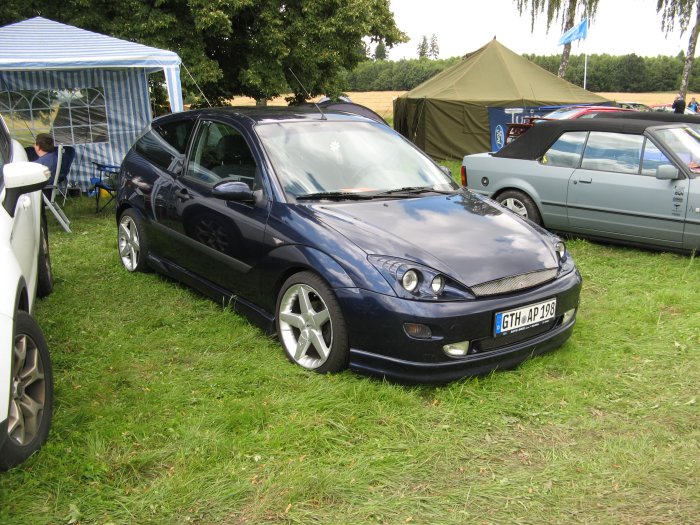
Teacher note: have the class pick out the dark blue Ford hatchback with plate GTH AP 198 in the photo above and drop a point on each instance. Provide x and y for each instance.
(337, 234)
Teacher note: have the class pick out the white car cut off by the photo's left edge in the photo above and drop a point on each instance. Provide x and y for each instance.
(26, 383)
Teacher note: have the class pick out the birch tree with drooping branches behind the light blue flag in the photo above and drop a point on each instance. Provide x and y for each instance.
(564, 10)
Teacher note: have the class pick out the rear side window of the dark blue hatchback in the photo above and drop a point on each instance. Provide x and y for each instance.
(165, 145)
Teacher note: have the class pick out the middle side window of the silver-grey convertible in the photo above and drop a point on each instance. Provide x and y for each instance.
(617, 152)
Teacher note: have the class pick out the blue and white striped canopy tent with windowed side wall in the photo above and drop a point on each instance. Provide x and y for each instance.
(40, 54)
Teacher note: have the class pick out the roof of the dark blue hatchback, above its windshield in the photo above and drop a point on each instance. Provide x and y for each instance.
(257, 115)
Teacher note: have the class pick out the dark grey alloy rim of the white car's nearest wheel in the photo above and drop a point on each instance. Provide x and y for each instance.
(28, 391)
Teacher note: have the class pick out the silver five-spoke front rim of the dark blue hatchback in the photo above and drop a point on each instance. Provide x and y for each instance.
(305, 326)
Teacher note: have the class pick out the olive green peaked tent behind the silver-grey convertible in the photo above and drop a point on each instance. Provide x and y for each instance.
(454, 112)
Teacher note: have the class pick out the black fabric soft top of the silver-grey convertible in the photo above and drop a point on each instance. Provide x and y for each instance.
(535, 142)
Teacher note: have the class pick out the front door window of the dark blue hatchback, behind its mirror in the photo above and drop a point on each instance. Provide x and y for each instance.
(221, 153)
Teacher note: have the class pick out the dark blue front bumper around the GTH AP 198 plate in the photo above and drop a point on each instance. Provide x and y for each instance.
(380, 345)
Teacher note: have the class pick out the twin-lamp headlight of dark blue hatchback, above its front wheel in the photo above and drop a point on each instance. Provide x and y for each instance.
(412, 280)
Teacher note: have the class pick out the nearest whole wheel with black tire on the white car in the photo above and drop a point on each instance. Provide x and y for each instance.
(31, 393)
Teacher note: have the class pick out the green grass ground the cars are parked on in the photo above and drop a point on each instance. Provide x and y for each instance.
(170, 409)
